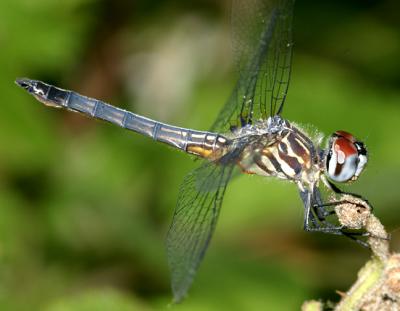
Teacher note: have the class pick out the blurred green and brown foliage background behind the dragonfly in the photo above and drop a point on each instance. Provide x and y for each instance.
(85, 206)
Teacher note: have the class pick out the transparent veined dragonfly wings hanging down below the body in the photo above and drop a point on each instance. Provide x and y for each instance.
(194, 221)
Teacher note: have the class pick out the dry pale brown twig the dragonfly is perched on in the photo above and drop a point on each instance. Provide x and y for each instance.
(378, 283)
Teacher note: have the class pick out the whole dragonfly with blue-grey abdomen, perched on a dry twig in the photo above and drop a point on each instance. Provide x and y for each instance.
(249, 134)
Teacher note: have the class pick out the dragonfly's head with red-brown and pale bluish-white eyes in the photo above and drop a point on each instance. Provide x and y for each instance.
(346, 157)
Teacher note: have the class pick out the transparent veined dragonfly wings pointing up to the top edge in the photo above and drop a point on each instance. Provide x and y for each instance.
(262, 40)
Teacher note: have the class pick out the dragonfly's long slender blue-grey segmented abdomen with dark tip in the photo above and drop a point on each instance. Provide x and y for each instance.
(200, 143)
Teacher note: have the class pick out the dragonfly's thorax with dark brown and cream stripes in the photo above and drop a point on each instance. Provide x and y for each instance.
(283, 151)
